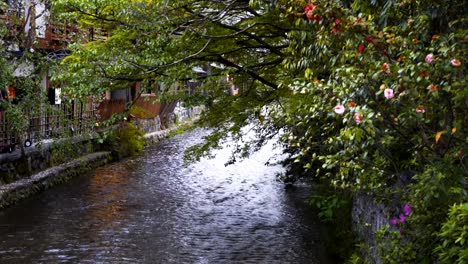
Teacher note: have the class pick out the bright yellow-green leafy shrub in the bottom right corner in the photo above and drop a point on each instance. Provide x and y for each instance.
(454, 236)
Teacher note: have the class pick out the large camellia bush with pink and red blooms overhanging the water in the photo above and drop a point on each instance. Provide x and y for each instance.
(382, 109)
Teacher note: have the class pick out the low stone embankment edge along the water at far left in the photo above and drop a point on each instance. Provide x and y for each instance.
(21, 189)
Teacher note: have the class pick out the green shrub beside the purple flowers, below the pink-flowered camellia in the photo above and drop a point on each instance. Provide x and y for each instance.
(417, 239)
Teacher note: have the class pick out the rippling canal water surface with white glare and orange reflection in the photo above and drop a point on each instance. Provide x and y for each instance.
(152, 209)
